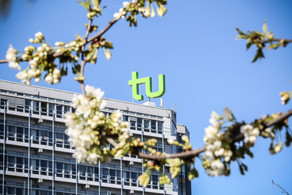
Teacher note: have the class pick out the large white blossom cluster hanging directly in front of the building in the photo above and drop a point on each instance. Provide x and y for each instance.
(88, 128)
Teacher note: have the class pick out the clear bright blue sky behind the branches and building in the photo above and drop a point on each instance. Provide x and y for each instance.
(206, 69)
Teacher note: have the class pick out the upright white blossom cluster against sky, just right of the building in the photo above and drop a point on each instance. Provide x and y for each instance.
(216, 149)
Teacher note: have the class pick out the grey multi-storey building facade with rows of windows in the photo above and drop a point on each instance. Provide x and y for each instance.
(36, 157)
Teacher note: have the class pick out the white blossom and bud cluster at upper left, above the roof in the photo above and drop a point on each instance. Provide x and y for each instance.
(42, 59)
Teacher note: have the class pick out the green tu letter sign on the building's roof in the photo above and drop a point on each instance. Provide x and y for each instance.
(135, 82)
